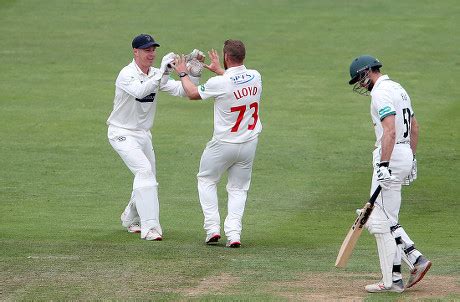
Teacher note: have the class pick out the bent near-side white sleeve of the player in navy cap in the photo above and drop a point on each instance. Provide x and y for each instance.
(134, 86)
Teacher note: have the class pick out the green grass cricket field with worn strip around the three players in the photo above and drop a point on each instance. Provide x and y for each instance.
(63, 188)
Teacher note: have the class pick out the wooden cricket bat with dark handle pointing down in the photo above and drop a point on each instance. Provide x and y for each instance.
(355, 231)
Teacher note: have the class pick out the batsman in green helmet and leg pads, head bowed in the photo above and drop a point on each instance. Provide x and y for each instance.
(396, 131)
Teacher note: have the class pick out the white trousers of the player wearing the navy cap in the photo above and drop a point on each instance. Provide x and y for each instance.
(136, 151)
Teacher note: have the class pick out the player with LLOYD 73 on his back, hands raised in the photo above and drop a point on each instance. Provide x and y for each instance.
(237, 93)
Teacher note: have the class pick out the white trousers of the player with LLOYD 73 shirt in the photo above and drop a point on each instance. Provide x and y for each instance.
(217, 158)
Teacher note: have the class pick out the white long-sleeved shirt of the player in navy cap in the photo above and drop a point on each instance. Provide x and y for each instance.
(135, 102)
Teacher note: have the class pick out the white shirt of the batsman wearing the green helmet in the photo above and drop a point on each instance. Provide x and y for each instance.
(390, 98)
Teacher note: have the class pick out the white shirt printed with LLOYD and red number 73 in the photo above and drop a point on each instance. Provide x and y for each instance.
(237, 95)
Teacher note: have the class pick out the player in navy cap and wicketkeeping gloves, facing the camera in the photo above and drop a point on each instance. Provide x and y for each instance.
(129, 124)
